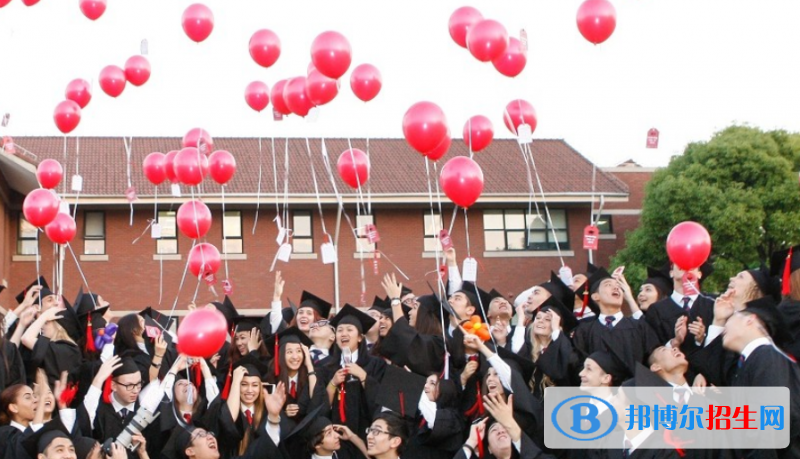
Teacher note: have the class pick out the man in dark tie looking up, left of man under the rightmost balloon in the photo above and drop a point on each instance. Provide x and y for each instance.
(630, 336)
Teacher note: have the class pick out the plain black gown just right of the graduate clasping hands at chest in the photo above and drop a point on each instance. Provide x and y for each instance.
(404, 346)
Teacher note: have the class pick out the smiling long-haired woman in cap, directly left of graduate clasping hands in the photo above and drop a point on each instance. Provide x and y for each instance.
(292, 365)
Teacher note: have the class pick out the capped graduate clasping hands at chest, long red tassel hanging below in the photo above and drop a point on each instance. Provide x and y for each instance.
(350, 375)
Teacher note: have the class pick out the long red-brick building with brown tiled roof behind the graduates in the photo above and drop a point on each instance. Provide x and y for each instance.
(513, 251)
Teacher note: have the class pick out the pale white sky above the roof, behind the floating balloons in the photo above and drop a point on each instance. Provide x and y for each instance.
(686, 67)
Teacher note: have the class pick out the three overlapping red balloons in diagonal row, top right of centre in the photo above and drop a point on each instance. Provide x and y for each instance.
(487, 40)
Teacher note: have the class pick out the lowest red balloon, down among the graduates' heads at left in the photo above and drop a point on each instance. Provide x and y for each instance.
(202, 333)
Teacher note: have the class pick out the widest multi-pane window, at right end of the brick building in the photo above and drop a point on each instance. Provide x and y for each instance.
(514, 229)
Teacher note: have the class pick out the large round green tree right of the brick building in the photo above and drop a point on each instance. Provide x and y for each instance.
(742, 185)
